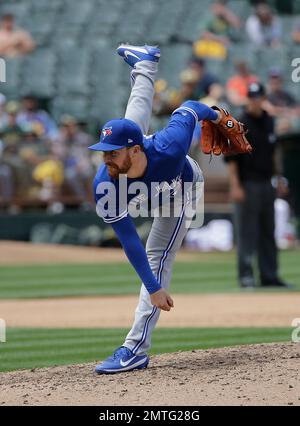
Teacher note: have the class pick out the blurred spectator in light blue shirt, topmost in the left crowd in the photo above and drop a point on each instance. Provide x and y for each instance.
(31, 115)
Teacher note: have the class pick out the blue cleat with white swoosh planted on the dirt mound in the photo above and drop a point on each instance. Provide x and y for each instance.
(122, 360)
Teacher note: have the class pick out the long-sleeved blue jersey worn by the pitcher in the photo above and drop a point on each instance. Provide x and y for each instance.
(167, 167)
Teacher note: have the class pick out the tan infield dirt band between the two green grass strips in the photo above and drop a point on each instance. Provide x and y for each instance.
(191, 310)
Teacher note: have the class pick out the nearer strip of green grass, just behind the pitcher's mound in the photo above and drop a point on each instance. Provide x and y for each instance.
(32, 348)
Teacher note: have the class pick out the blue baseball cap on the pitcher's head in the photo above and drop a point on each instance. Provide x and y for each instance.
(118, 134)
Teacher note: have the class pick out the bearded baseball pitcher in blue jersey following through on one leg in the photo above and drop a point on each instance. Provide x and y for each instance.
(156, 162)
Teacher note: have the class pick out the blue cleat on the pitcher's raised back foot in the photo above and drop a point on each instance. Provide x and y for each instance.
(134, 54)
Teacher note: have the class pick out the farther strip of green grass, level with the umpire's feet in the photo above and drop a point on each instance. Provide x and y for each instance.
(211, 273)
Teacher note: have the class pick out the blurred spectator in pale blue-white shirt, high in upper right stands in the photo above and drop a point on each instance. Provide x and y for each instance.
(263, 28)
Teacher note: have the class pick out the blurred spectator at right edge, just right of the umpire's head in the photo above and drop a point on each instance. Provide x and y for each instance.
(281, 104)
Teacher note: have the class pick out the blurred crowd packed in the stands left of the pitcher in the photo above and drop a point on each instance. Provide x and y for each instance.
(40, 160)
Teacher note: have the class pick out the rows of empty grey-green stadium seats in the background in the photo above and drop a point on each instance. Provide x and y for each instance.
(73, 37)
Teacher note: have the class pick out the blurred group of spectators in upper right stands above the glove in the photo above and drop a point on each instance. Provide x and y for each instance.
(222, 31)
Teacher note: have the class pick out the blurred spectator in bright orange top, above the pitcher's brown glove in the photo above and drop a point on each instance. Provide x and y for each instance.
(237, 85)
